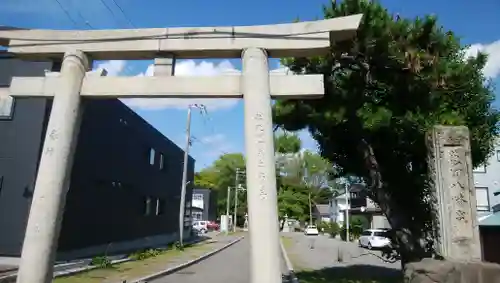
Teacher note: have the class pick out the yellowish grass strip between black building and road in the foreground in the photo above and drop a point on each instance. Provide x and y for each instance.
(138, 268)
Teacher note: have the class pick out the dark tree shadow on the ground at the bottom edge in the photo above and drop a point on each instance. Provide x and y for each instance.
(351, 274)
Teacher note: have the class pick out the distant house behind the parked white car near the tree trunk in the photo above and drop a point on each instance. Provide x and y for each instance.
(358, 205)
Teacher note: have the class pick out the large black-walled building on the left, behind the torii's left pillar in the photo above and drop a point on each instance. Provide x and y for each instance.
(125, 183)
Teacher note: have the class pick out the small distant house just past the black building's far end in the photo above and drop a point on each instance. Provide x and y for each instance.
(204, 204)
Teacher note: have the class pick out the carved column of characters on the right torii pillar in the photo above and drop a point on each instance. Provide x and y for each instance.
(261, 153)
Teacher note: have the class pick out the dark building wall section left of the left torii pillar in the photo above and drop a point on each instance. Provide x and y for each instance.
(19, 150)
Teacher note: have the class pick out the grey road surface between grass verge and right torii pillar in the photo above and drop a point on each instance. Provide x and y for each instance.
(229, 266)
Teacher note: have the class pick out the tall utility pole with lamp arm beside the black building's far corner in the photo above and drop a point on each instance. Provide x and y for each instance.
(184, 172)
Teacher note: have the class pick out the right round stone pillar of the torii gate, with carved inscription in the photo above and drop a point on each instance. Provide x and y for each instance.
(265, 261)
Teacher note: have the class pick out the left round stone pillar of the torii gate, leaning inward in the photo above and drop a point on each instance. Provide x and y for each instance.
(52, 182)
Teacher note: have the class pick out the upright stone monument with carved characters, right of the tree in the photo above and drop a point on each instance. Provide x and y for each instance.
(457, 233)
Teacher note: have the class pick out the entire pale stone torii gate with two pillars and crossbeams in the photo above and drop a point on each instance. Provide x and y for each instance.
(254, 44)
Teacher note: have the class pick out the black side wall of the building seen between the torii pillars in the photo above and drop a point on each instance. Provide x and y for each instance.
(114, 146)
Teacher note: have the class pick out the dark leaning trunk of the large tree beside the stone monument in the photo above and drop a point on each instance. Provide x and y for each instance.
(407, 233)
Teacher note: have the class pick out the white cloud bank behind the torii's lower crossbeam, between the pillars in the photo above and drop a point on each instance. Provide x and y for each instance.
(188, 68)
